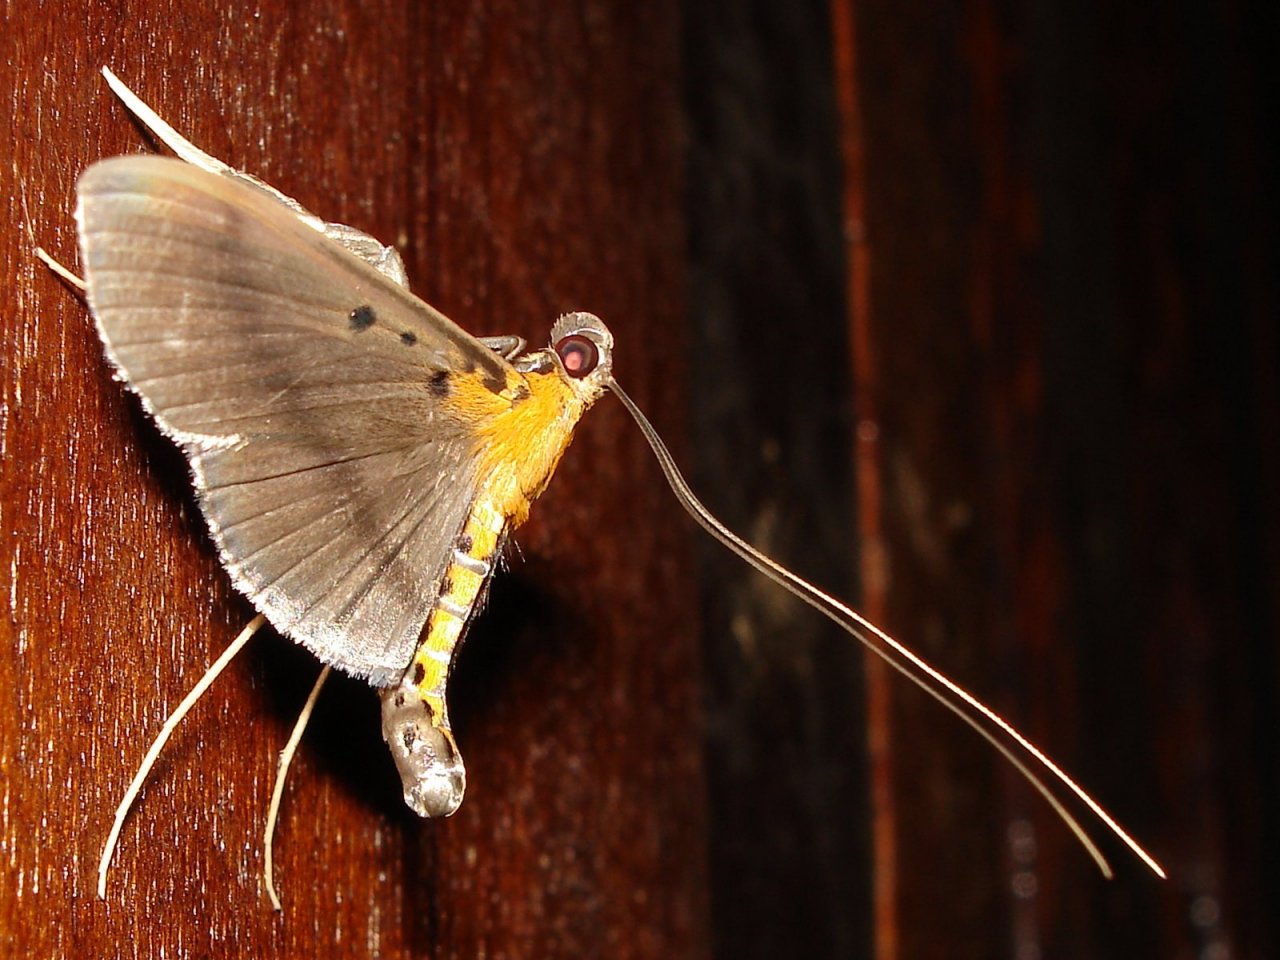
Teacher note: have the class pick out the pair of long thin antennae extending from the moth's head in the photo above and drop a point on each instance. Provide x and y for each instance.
(938, 685)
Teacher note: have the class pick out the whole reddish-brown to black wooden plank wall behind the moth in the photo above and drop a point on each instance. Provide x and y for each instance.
(967, 312)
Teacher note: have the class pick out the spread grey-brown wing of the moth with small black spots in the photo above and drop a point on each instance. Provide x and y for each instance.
(305, 391)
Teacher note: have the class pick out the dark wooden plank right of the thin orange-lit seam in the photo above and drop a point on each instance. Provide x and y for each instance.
(1060, 225)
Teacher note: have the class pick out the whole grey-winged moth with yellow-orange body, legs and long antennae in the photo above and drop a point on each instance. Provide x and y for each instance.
(360, 459)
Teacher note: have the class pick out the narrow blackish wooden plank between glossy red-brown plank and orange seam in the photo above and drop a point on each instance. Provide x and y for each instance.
(772, 427)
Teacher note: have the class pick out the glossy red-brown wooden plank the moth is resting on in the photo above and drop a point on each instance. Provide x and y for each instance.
(527, 163)
